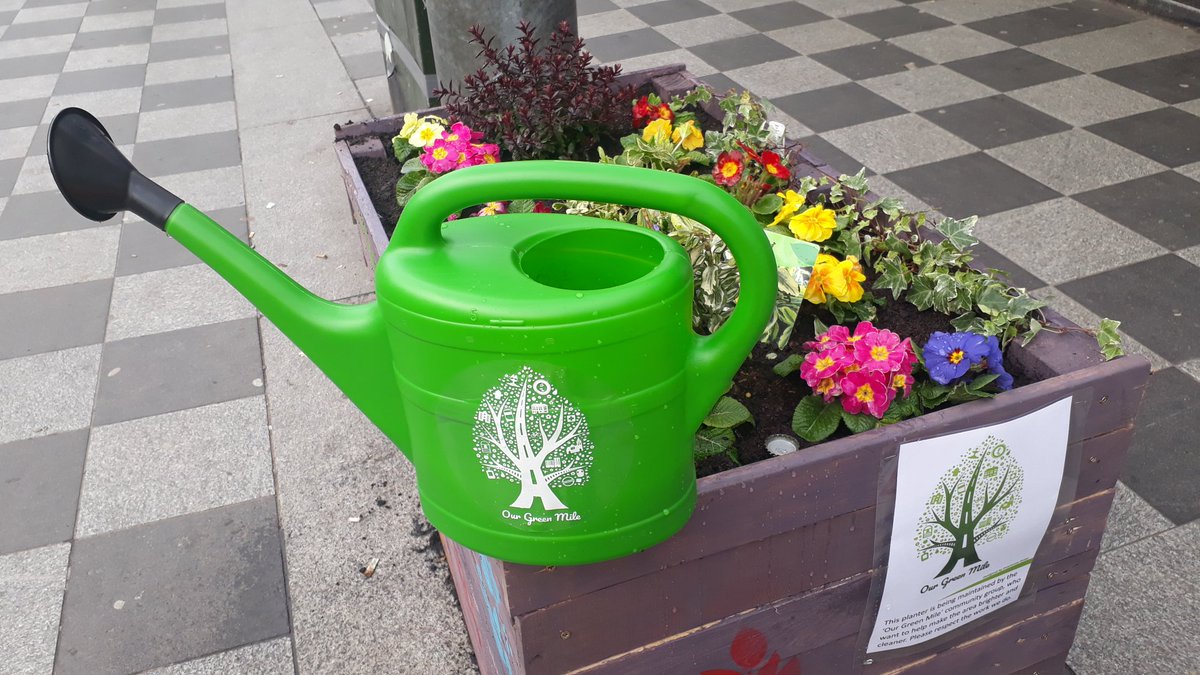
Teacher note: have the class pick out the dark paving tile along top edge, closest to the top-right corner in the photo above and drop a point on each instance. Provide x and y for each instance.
(1051, 23)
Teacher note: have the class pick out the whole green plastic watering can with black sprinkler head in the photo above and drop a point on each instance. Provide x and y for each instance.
(539, 371)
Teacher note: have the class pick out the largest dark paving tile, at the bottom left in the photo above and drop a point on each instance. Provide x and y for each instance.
(188, 587)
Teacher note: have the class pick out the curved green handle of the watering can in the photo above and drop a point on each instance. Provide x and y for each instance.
(715, 359)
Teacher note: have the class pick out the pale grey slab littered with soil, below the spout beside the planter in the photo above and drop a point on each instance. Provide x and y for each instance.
(332, 464)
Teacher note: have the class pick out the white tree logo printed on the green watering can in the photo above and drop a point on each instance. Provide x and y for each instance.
(527, 434)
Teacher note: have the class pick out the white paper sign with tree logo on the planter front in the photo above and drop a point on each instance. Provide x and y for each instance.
(971, 510)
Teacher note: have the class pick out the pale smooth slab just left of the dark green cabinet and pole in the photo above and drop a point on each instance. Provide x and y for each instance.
(314, 83)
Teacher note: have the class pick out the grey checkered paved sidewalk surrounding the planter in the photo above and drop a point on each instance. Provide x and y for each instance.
(177, 480)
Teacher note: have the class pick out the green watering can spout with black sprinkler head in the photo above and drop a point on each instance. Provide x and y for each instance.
(347, 343)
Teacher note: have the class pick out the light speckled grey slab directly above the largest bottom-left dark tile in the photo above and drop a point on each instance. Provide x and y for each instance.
(188, 462)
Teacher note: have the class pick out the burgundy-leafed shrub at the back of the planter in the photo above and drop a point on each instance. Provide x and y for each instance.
(541, 101)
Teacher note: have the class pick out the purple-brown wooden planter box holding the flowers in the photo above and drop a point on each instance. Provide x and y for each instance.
(787, 547)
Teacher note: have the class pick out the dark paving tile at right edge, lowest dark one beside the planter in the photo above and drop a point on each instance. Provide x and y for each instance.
(1163, 464)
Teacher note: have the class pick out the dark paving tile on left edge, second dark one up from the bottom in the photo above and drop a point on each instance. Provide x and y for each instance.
(49, 320)
